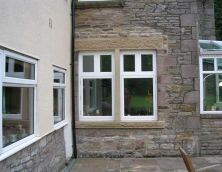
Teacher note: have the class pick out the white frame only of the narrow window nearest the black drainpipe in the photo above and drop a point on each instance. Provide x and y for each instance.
(59, 86)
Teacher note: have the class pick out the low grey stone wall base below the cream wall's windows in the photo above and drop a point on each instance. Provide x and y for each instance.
(48, 154)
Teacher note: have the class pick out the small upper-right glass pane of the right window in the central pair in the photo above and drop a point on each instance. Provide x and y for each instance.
(147, 62)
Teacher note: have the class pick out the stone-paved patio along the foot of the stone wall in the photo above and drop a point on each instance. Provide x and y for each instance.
(141, 164)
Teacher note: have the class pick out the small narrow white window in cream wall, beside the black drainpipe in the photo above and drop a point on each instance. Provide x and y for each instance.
(59, 84)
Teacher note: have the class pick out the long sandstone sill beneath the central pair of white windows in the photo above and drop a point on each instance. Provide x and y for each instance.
(149, 124)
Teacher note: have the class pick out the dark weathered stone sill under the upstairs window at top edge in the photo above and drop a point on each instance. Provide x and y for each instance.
(100, 4)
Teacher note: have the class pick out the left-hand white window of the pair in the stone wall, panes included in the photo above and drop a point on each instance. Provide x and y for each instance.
(96, 88)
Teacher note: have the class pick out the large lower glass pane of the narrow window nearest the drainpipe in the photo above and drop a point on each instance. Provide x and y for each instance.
(58, 105)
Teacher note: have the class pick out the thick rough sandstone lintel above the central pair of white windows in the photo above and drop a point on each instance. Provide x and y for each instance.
(121, 43)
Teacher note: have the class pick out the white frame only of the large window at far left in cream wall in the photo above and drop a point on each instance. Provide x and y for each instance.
(16, 82)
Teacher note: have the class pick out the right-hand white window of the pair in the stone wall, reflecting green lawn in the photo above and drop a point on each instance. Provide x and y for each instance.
(138, 85)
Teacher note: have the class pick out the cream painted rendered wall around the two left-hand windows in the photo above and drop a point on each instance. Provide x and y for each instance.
(24, 27)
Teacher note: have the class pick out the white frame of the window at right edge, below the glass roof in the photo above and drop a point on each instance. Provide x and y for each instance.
(215, 71)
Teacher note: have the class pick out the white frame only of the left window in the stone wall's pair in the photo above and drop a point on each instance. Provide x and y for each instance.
(95, 75)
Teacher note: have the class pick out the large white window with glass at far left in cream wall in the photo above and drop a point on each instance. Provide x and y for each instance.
(18, 99)
